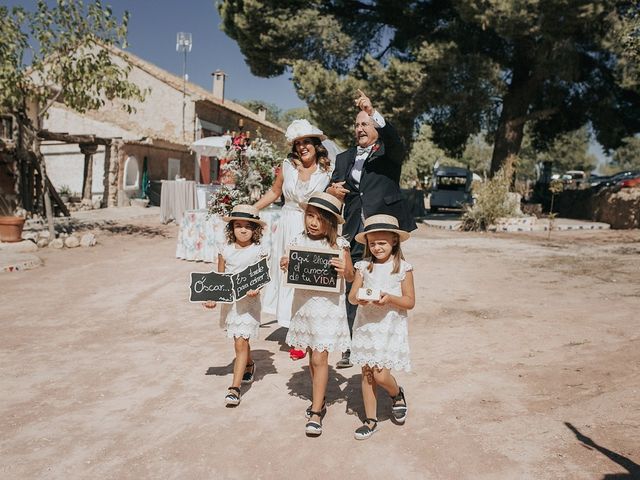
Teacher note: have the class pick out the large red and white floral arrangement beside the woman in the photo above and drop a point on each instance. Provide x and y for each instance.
(253, 169)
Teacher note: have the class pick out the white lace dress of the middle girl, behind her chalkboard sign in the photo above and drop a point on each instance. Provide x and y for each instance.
(319, 319)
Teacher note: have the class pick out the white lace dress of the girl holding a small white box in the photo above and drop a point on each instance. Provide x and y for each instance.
(380, 334)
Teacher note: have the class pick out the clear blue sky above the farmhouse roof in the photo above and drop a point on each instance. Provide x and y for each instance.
(153, 25)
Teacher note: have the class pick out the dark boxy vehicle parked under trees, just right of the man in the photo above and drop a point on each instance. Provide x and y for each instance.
(451, 188)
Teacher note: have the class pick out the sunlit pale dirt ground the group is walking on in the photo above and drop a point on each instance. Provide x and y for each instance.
(525, 352)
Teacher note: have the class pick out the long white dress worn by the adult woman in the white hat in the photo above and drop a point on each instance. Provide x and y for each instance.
(279, 298)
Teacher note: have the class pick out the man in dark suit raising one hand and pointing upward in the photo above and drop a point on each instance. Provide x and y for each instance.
(367, 179)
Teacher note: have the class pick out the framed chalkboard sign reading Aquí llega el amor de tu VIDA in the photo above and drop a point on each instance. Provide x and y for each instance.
(310, 269)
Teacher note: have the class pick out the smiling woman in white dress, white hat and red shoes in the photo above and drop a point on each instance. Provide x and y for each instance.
(307, 170)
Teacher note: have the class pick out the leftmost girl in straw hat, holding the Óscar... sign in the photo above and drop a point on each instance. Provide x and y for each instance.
(241, 319)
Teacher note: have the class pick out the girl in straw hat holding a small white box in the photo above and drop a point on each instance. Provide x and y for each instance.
(380, 339)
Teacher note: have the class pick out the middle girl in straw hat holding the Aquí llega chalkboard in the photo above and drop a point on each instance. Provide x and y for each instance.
(319, 322)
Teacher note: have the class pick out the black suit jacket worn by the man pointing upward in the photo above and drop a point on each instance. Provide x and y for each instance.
(379, 189)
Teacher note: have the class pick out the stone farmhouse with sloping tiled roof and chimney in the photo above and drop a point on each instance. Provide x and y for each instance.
(154, 135)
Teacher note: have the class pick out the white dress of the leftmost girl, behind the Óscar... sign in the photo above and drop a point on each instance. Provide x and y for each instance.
(241, 318)
